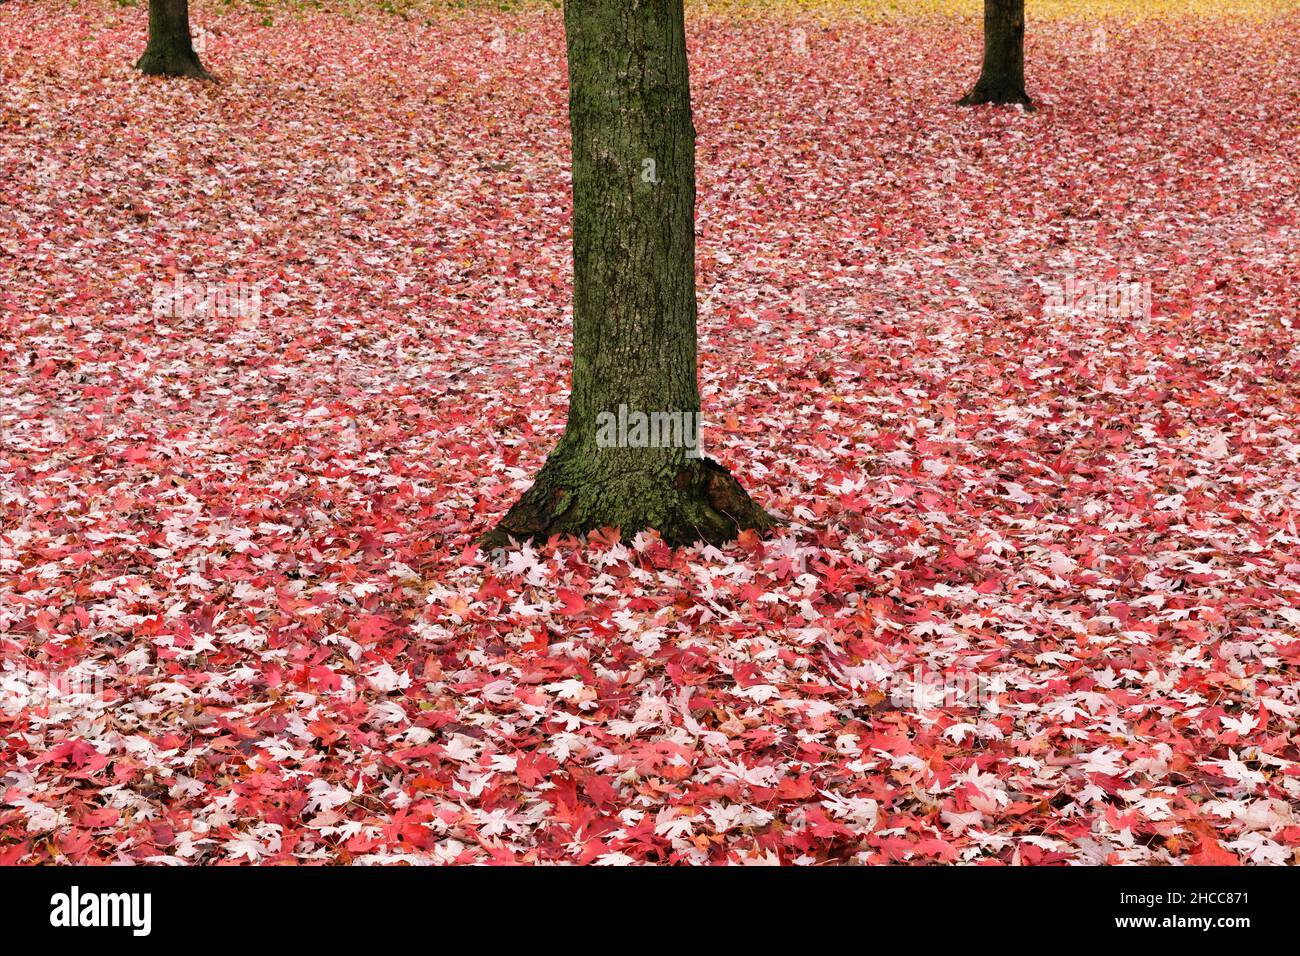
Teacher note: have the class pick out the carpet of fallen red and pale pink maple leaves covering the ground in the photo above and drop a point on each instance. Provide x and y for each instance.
(240, 616)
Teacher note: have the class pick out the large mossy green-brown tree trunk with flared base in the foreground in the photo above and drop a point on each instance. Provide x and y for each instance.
(634, 292)
